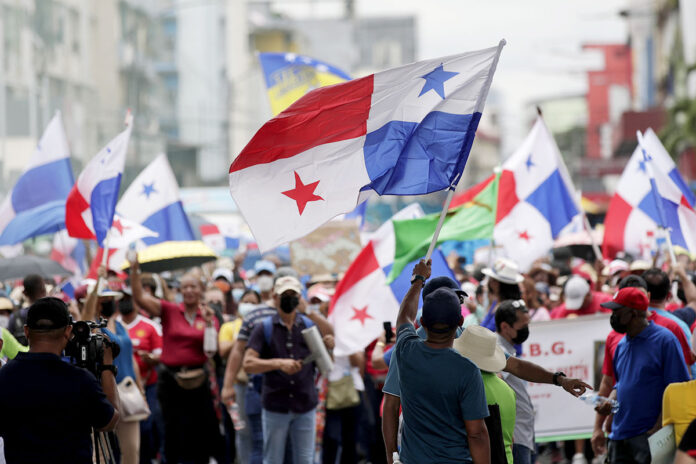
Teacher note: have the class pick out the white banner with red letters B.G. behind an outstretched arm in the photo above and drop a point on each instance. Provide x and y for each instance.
(574, 346)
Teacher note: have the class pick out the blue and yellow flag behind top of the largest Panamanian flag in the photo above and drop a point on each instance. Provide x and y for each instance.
(289, 76)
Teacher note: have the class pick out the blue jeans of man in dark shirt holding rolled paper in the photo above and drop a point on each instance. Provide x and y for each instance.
(302, 431)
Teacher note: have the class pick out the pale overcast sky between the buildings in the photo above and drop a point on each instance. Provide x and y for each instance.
(543, 54)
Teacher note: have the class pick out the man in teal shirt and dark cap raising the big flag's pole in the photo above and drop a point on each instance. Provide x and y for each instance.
(442, 393)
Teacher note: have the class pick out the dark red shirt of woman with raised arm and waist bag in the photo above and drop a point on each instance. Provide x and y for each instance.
(182, 342)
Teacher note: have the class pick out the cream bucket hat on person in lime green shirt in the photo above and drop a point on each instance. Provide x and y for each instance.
(480, 346)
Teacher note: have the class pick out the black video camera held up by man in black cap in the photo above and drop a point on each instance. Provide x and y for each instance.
(87, 348)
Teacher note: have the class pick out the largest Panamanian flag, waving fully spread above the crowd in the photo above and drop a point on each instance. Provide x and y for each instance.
(404, 131)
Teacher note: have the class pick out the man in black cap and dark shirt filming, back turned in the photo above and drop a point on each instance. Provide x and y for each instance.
(50, 405)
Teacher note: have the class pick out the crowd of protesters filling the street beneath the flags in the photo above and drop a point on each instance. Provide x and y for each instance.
(446, 385)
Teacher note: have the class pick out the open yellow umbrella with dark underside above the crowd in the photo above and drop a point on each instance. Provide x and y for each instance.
(169, 256)
